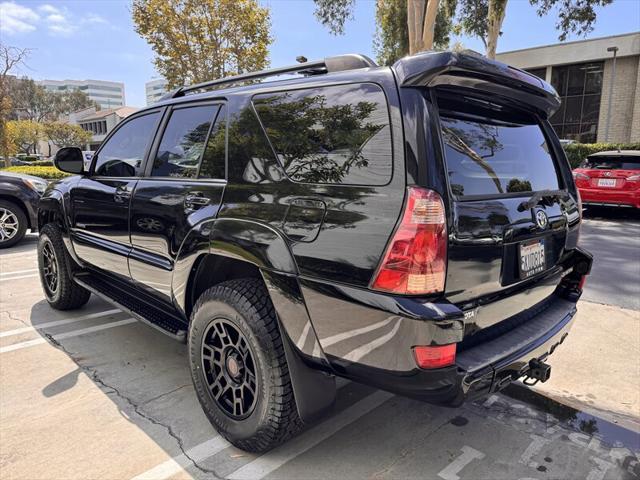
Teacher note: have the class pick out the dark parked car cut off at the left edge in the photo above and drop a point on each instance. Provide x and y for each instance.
(19, 197)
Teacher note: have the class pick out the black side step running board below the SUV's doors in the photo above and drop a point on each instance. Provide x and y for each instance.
(142, 311)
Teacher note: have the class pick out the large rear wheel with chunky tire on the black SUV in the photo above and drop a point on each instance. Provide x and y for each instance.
(272, 418)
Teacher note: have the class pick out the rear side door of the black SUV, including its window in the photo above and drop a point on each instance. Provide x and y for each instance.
(182, 189)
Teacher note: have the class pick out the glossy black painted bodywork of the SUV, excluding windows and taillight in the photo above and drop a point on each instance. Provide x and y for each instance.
(317, 245)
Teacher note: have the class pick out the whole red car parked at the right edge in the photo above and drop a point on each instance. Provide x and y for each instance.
(610, 179)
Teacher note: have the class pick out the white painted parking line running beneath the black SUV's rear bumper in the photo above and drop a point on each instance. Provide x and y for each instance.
(271, 461)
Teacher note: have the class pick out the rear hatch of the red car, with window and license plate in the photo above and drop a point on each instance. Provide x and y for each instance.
(614, 171)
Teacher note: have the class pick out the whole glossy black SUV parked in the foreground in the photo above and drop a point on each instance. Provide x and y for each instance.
(414, 228)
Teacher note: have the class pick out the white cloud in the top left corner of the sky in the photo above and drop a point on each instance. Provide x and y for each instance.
(59, 22)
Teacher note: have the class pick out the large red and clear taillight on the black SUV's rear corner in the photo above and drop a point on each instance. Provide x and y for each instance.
(415, 261)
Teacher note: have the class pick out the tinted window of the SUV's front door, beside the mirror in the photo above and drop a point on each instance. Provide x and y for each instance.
(123, 153)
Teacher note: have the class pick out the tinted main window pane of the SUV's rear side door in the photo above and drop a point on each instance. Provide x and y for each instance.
(183, 142)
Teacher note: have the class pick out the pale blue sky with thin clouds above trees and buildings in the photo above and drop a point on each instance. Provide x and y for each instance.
(96, 39)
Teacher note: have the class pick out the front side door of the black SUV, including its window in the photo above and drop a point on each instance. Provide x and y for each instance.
(100, 201)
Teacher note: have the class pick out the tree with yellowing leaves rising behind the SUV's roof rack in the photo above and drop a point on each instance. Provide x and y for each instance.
(199, 40)
